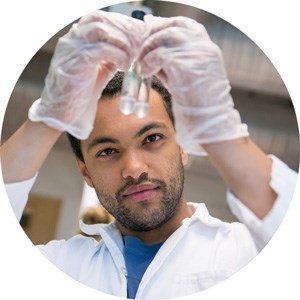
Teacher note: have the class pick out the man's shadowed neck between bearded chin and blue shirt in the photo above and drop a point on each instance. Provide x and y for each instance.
(161, 233)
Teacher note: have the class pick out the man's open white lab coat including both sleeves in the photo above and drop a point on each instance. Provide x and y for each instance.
(201, 253)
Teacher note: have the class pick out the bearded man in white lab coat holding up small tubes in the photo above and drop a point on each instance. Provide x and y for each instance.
(160, 246)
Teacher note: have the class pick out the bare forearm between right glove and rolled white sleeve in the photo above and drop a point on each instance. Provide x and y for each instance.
(246, 170)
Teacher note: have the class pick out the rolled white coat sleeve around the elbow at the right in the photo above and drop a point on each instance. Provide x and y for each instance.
(283, 181)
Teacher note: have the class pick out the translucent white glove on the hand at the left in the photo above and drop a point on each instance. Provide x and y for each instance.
(84, 60)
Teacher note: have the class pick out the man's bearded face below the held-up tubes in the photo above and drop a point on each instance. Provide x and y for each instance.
(135, 165)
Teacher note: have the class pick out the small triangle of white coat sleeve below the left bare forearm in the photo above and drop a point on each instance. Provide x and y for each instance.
(18, 195)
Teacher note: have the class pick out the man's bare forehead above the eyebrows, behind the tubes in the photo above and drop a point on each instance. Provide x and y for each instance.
(110, 121)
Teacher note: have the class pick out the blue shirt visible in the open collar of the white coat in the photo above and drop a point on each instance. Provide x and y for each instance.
(138, 257)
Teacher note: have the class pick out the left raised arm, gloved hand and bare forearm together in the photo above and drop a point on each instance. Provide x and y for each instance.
(84, 60)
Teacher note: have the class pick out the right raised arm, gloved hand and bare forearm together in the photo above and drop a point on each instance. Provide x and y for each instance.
(182, 55)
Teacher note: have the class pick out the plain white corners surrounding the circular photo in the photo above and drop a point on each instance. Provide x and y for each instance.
(273, 26)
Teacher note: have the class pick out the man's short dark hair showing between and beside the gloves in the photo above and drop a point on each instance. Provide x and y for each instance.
(113, 89)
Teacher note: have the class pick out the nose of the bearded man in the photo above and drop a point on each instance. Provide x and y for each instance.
(134, 165)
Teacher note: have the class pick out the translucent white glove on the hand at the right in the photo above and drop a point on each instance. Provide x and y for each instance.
(179, 51)
